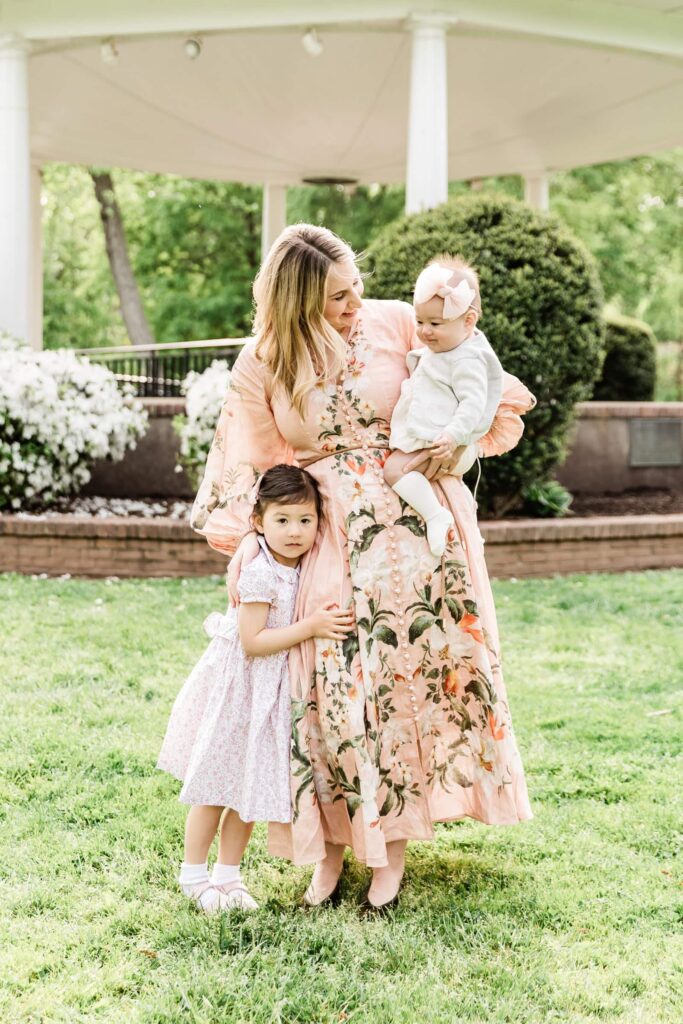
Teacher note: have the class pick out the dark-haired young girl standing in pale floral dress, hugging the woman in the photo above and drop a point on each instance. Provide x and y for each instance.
(229, 737)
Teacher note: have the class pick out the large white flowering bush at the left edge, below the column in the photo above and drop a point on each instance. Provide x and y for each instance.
(59, 413)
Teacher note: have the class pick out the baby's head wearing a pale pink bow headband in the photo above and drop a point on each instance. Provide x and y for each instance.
(447, 304)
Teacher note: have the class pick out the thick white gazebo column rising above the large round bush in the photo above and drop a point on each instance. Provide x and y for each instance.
(428, 165)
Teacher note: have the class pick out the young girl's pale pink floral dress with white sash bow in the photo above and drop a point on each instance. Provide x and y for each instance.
(229, 736)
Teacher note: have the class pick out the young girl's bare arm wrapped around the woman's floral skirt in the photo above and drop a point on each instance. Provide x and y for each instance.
(260, 642)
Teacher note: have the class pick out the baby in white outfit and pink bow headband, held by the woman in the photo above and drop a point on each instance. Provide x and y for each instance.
(451, 398)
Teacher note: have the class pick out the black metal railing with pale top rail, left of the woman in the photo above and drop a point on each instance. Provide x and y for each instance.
(158, 371)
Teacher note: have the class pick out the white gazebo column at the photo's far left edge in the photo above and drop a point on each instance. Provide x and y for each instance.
(16, 274)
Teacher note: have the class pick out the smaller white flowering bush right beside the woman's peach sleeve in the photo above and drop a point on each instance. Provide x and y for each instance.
(205, 395)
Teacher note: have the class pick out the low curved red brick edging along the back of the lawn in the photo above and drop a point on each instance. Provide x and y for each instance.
(139, 547)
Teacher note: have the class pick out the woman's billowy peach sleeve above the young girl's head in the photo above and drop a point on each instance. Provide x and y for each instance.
(246, 444)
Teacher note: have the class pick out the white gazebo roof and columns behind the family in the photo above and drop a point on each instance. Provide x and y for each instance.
(354, 92)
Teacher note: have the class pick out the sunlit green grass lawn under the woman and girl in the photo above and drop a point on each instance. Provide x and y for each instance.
(577, 916)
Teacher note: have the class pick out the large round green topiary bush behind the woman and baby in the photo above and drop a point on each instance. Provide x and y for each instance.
(542, 304)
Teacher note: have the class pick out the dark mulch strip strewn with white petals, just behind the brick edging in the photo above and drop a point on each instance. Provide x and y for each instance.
(629, 503)
